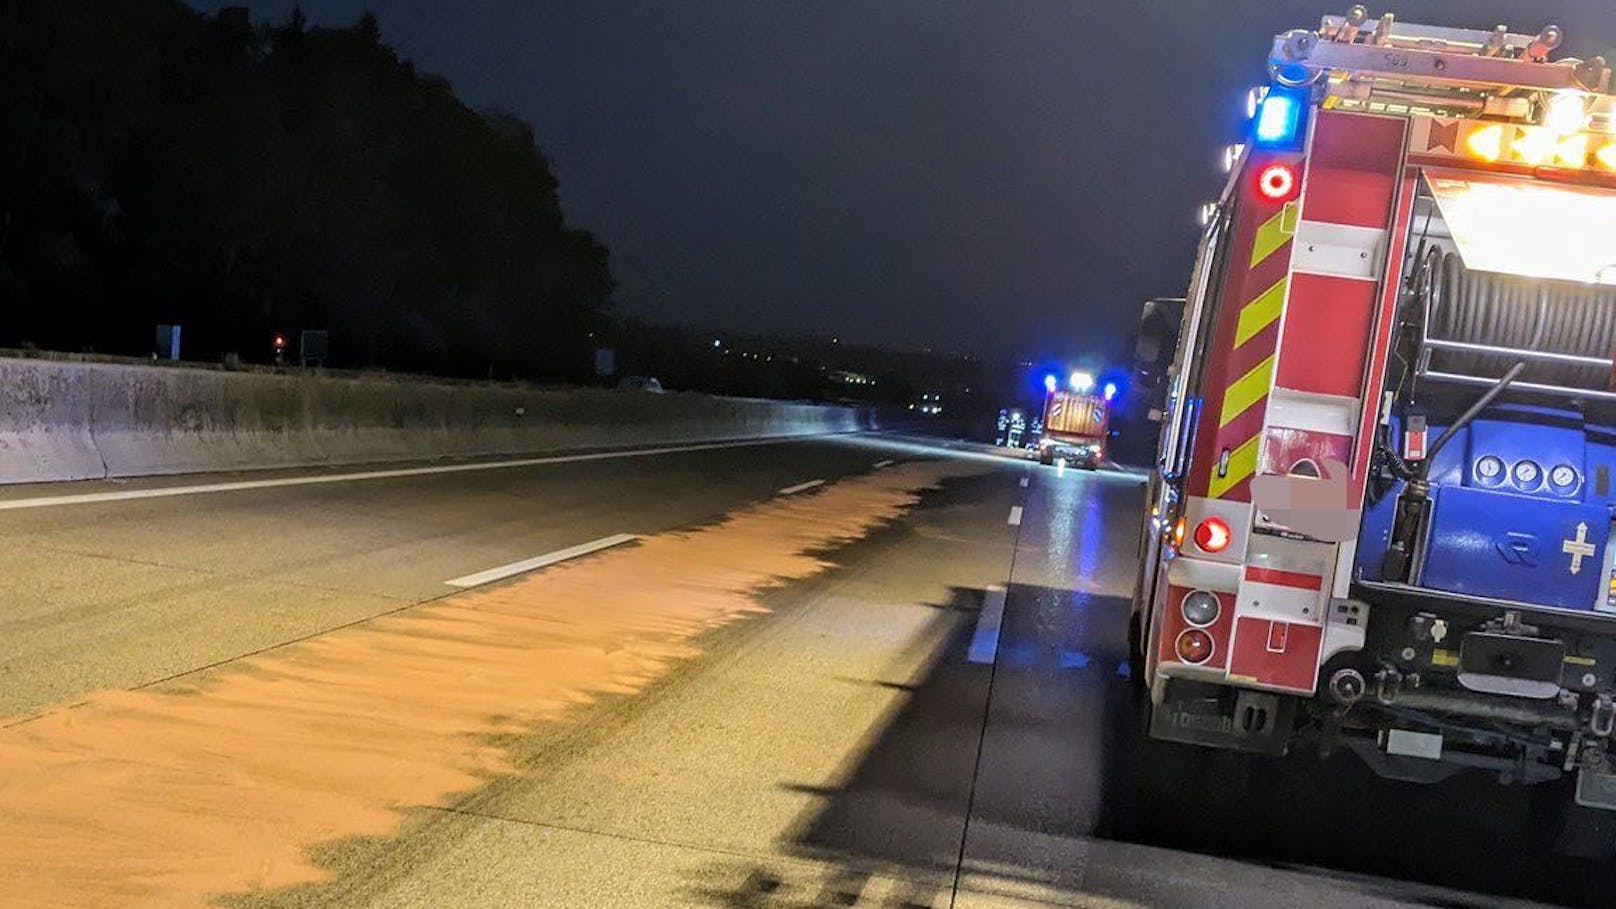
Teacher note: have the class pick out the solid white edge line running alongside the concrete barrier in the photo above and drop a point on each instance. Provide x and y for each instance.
(240, 486)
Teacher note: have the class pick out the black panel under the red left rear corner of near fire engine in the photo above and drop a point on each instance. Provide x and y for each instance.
(1219, 716)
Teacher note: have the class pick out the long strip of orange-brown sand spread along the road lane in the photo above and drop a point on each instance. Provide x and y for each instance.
(164, 798)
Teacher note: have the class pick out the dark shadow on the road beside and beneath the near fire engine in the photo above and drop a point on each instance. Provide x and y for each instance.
(1069, 805)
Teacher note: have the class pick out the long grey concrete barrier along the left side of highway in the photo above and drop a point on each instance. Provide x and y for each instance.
(69, 421)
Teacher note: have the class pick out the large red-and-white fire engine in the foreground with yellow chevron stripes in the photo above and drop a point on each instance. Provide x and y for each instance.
(1384, 499)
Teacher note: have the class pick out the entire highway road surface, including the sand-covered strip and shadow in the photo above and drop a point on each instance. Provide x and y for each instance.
(904, 687)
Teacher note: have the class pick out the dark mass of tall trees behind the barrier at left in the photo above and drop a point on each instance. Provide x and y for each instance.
(166, 167)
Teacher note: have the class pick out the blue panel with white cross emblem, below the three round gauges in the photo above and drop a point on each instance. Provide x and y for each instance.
(1517, 548)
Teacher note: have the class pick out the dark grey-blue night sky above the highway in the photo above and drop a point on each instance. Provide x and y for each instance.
(1008, 179)
